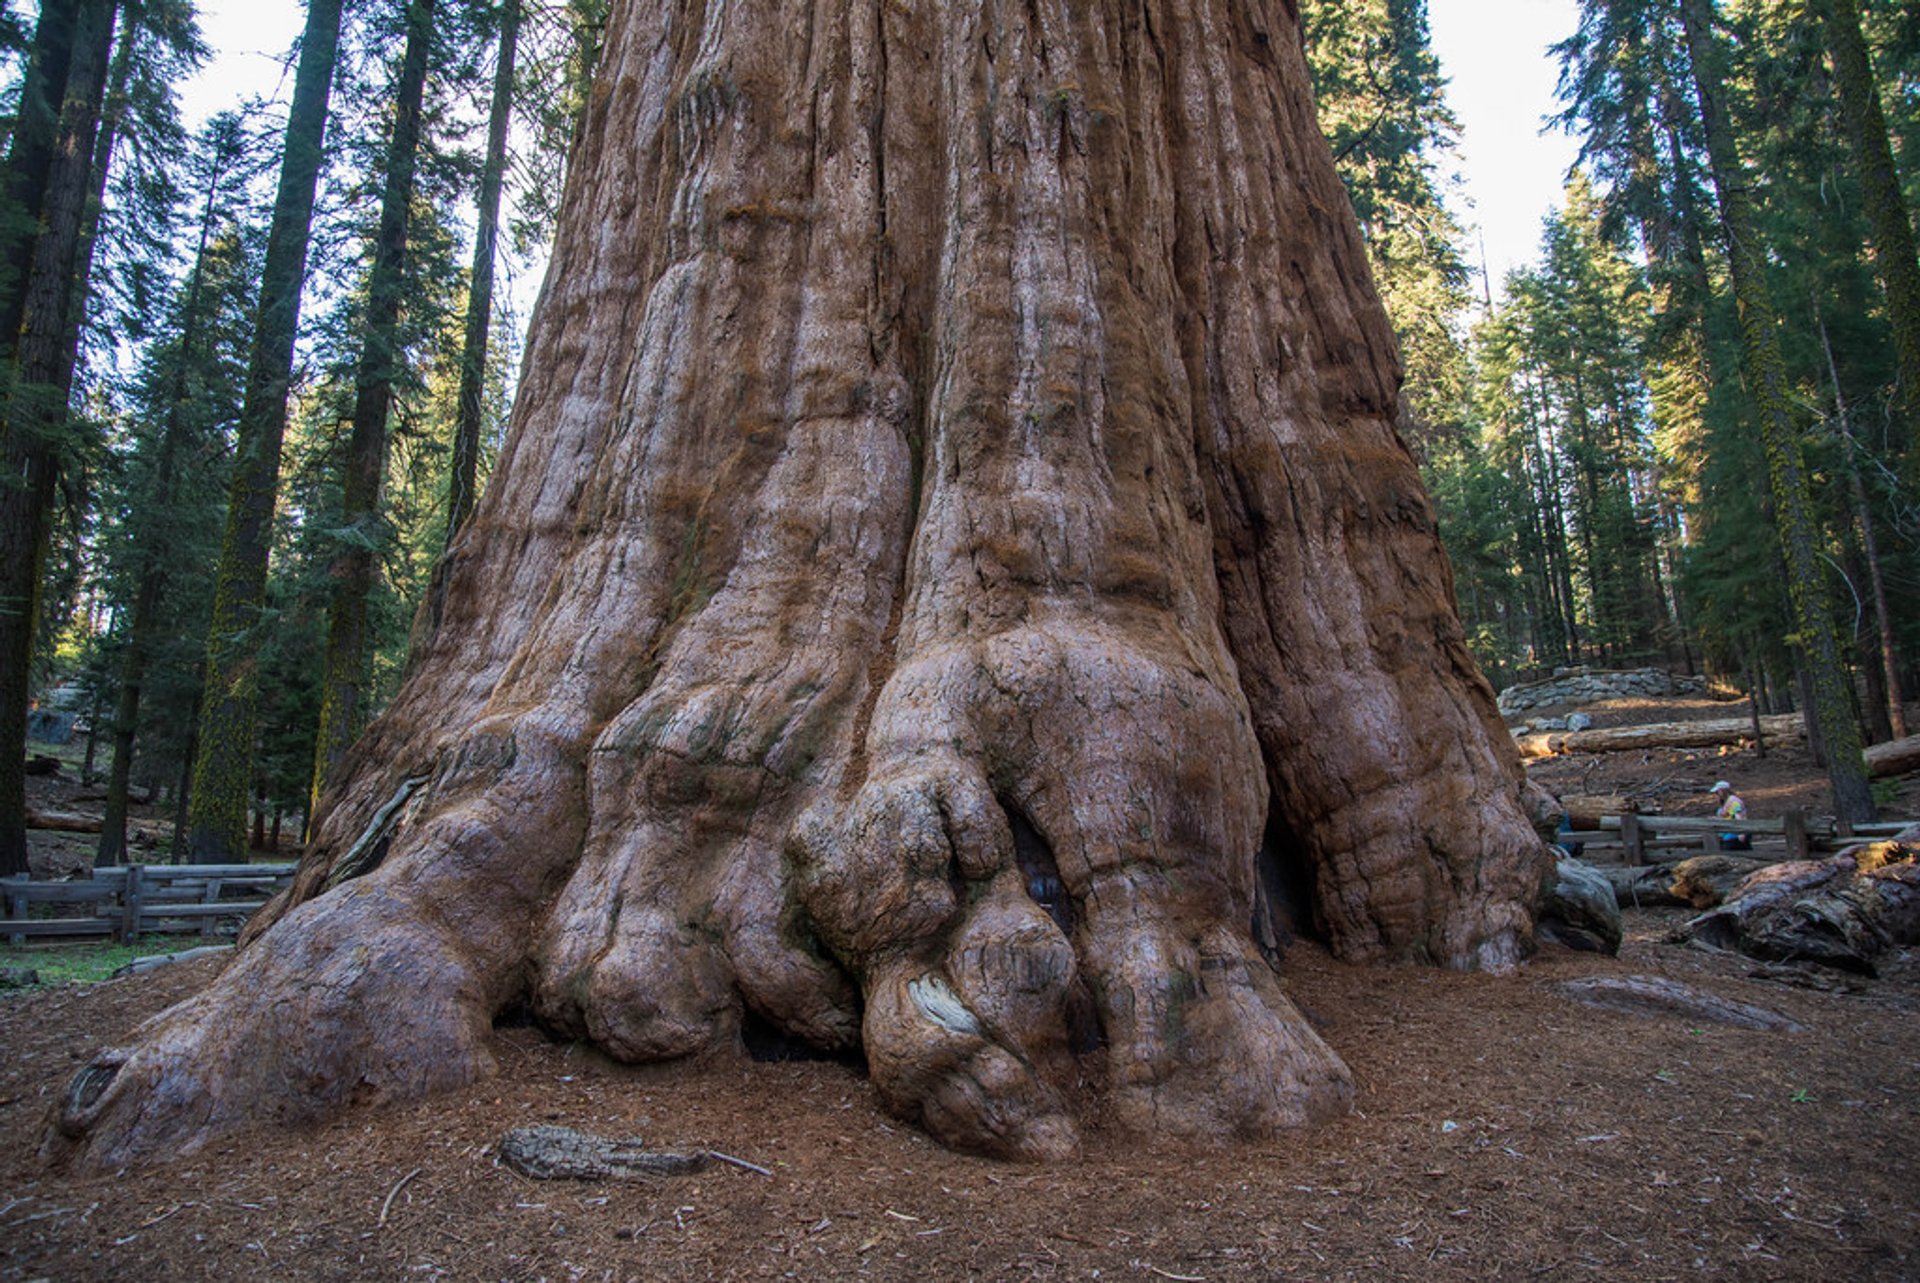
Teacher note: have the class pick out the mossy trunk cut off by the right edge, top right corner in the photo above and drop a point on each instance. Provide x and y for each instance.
(1886, 206)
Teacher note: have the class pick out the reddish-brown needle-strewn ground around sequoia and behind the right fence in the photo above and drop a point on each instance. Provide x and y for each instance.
(1500, 1132)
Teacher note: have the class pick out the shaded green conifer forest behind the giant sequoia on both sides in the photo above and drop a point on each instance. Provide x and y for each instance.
(224, 546)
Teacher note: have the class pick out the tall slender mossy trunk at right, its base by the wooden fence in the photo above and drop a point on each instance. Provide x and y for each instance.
(1767, 385)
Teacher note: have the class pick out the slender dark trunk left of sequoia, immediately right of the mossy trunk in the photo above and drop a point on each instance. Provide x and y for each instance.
(356, 566)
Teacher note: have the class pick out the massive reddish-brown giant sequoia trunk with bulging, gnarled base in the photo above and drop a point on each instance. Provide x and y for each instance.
(951, 558)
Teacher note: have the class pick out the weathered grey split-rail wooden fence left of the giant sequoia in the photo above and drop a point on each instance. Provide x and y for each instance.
(133, 900)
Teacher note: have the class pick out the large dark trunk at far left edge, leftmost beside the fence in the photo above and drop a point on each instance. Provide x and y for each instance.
(36, 406)
